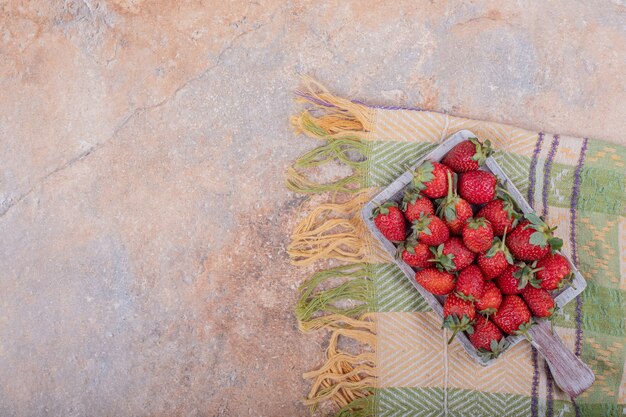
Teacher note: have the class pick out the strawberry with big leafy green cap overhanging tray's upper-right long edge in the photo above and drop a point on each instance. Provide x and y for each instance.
(533, 239)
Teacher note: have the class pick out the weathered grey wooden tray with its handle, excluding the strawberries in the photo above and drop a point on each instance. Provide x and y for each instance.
(563, 363)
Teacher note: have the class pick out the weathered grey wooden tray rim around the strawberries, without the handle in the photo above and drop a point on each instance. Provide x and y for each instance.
(400, 183)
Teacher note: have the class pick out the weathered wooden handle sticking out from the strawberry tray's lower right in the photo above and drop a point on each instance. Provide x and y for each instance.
(568, 371)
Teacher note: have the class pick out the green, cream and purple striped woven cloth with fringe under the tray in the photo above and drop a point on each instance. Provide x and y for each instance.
(387, 354)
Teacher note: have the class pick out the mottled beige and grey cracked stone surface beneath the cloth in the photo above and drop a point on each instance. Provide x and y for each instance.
(142, 148)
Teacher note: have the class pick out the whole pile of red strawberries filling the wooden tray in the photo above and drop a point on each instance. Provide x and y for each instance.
(452, 228)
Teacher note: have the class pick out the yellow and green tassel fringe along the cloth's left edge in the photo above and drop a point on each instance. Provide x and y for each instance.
(336, 231)
